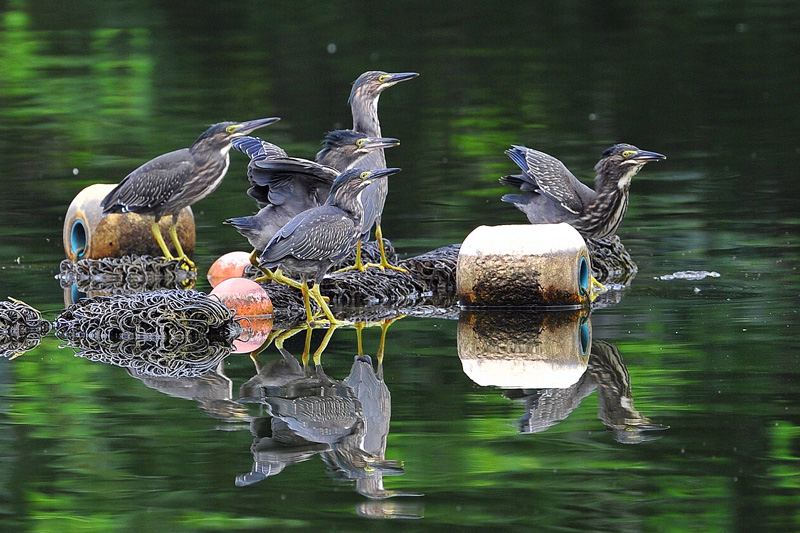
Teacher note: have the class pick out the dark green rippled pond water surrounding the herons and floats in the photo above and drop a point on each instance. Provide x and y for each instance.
(89, 91)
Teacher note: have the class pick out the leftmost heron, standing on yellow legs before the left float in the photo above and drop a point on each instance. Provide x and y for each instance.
(172, 181)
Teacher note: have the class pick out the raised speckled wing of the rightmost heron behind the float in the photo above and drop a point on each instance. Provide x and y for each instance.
(549, 176)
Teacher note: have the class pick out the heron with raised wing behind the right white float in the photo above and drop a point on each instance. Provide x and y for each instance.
(550, 193)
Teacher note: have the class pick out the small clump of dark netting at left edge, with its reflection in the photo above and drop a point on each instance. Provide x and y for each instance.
(21, 328)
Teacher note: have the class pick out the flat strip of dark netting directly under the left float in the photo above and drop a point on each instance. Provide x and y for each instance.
(131, 273)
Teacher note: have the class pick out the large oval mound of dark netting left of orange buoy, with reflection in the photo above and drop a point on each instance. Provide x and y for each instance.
(163, 333)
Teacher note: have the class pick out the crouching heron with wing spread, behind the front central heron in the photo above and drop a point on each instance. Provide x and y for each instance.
(287, 186)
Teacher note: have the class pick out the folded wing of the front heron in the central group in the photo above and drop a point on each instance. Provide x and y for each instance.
(325, 232)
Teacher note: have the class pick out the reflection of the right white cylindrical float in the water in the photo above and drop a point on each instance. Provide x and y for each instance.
(524, 350)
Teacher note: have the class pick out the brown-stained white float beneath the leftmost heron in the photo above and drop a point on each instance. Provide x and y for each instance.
(88, 234)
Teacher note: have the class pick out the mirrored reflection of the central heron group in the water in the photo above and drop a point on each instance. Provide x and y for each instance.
(345, 421)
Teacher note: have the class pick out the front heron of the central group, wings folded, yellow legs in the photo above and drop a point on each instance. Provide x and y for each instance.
(311, 242)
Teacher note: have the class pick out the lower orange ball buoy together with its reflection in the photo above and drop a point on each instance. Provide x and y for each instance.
(253, 311)
